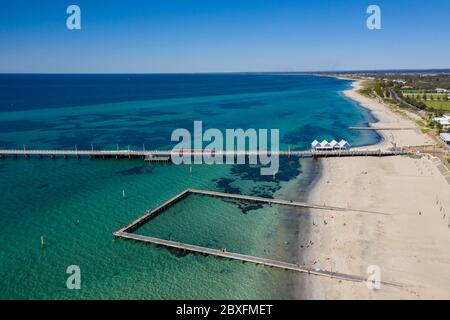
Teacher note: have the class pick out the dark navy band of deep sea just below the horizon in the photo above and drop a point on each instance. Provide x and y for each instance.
(35, 91)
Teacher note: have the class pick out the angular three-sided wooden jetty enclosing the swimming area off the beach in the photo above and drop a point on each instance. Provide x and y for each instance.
(126, 233)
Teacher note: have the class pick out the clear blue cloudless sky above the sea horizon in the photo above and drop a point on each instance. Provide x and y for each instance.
(219, 35)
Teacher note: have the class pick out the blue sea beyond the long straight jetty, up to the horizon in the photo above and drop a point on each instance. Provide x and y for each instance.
(62, 111)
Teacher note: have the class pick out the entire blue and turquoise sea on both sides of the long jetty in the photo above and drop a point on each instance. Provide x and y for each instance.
(77, 204)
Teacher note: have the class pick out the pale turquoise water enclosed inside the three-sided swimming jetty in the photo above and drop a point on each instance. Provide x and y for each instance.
(259, 232)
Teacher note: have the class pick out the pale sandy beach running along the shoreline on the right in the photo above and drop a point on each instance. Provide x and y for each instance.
(411, 244)
